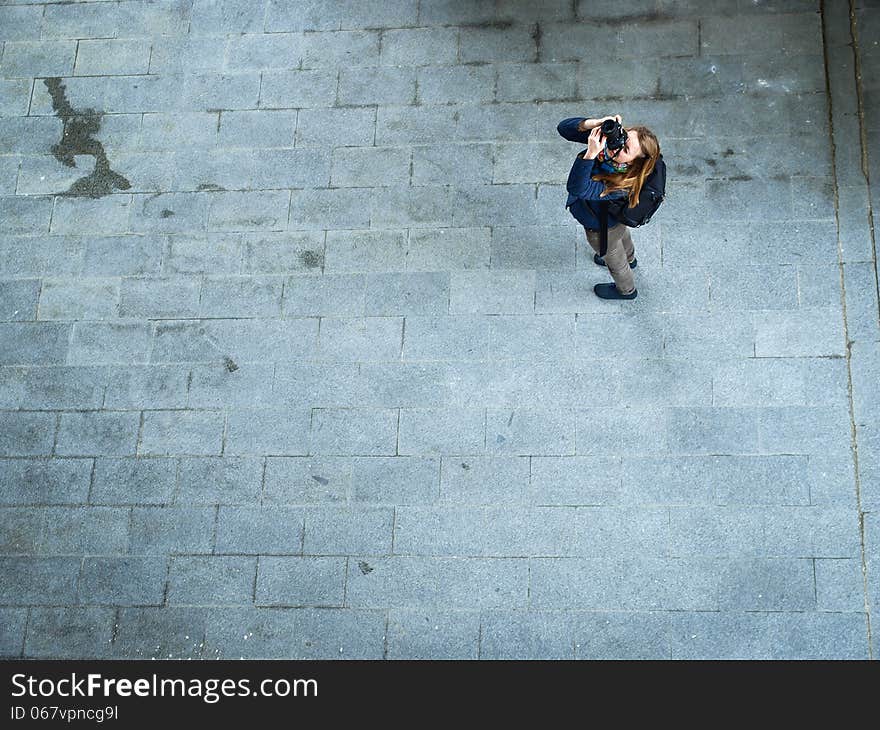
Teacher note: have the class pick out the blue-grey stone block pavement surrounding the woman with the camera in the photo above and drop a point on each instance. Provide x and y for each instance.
(299, 355)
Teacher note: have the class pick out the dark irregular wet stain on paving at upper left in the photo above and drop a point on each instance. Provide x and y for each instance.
(77, 139)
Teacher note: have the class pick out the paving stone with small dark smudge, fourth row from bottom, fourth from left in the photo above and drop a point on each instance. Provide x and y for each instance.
(307, 480)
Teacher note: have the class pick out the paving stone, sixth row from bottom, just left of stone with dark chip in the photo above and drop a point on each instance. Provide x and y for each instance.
(139, 387)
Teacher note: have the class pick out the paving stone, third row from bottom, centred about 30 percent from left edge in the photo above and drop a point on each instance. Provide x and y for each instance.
(257, 530)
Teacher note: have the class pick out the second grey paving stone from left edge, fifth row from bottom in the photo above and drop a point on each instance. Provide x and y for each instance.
(98, 433)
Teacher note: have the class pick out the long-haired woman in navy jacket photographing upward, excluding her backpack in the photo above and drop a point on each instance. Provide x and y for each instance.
(602, 175)
